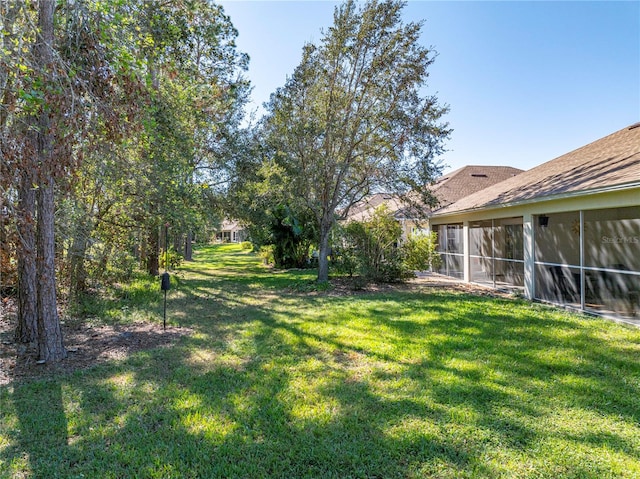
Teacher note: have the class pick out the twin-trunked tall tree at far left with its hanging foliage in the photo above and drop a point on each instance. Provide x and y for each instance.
(59, 78)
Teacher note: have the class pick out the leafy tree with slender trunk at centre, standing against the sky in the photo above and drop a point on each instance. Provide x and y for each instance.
(351, 119)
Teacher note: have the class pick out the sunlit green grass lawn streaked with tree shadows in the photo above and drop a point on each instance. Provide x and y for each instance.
(279, 382)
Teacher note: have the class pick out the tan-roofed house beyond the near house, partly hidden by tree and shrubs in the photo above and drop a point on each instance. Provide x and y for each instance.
(447, 189)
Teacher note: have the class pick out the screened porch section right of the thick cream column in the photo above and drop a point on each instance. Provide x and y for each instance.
(590, 260)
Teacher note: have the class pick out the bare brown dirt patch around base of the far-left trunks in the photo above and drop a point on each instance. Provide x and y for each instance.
(86, 344)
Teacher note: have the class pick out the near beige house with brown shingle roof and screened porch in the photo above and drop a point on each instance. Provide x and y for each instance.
(565, 232)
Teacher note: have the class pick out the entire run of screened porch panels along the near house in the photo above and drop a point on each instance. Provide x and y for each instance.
(585, 259)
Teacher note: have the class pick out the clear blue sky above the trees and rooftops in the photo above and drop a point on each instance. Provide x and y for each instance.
(526, 81)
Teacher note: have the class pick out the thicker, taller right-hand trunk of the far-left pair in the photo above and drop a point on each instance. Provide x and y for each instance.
(50, 342)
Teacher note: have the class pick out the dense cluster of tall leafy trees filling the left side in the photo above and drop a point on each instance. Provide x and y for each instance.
(114, 115)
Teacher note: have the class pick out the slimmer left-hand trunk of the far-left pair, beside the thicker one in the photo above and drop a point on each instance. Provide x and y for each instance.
(27, 327)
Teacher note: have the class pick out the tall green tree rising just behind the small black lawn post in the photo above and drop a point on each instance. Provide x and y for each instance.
(197, 93)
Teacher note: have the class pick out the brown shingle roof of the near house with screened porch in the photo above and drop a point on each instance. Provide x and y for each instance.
(611, 161)
